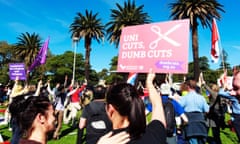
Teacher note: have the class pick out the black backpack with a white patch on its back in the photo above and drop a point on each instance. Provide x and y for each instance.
(98, 124)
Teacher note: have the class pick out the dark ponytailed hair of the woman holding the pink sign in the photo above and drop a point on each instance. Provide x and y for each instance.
(124, 97)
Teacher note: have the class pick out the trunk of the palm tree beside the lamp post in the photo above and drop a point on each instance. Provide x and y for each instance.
(87, 57)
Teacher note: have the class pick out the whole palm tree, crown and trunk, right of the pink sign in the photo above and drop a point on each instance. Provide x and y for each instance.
(198, 11)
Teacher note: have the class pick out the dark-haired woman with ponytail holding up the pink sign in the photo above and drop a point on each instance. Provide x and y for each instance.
(126, 110)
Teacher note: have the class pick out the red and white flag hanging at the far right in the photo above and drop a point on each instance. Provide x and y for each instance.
(215, 42)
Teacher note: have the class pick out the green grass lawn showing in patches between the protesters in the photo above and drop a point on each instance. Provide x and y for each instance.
(69, 134)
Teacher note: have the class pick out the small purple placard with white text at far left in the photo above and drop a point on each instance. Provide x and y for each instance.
(17, 70)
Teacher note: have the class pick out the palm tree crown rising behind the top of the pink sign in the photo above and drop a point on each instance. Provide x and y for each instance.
(127, 15)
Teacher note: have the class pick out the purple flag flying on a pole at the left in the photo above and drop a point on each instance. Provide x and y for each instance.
(41, 57)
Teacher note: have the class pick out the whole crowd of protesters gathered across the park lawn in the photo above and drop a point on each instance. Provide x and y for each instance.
(125, 110)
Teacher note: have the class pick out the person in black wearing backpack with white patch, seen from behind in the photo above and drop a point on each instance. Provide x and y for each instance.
(94, 118)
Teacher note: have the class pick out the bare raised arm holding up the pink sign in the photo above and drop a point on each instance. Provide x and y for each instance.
(157, 107)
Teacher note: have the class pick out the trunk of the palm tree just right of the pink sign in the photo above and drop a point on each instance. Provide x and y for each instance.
(195, 49)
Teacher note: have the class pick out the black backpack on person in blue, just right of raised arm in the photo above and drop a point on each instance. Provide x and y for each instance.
(170, 117)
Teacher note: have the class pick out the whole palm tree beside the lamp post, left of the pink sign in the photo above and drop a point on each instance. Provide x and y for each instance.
(88, 27)
